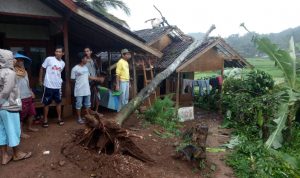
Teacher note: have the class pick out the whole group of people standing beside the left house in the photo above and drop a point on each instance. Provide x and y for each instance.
(17, 98)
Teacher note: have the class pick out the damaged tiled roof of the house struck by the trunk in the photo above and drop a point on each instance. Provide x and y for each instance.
(181, 41)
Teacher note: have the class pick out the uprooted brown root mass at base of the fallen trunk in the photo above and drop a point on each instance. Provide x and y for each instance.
(106, 136)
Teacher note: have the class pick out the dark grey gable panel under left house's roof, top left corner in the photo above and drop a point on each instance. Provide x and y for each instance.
(27, 7)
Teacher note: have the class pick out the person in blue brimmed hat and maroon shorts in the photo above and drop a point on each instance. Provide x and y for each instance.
(27, 96)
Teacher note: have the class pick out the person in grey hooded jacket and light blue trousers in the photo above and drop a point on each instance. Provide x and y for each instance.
(10, 105)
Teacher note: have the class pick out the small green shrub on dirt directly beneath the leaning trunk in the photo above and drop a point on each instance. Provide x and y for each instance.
(163, 113)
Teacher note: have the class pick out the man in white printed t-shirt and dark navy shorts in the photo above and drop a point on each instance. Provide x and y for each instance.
(53, 65)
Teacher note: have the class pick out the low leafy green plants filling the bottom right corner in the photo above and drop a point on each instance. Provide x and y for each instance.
(251, 159)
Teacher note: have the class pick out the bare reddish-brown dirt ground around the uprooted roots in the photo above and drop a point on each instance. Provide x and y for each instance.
(79, 162)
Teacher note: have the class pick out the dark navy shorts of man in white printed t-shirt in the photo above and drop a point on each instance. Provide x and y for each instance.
(51, 94)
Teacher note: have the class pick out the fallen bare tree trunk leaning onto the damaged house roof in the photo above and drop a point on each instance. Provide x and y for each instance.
(145, 92)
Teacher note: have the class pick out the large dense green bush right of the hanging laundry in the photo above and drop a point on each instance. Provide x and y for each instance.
(246, 98)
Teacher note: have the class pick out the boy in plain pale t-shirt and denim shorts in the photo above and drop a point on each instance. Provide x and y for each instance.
(81, 75)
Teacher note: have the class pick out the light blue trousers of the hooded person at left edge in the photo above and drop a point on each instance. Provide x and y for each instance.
(10, 129)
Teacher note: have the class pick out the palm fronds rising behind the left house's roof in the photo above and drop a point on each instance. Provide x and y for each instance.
(102, 6)
